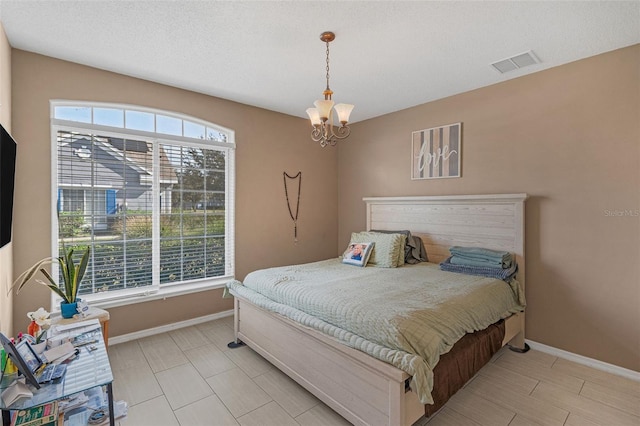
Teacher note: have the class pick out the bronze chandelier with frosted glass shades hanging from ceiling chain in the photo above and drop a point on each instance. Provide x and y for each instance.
(322, 116)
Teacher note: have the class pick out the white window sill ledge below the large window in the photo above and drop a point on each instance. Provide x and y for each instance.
(162, 293)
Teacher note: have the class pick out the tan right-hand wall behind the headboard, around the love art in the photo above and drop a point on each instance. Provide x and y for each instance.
(570, 138)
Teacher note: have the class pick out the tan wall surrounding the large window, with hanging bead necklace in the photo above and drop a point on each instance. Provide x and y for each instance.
(268, 144)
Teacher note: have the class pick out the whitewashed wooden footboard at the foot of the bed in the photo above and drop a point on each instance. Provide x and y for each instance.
(362, 389)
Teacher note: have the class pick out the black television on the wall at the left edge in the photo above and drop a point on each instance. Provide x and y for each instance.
(7, 181)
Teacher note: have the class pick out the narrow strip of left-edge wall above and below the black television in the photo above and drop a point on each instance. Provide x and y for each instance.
(6, 252)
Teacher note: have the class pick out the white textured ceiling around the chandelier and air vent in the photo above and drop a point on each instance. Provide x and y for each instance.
(387, 56)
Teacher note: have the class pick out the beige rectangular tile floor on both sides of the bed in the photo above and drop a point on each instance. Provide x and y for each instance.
(190, 377)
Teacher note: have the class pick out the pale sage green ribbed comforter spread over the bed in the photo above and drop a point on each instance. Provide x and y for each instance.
(406, 316)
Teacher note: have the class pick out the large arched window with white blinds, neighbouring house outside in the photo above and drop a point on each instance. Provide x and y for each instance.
(150, 192)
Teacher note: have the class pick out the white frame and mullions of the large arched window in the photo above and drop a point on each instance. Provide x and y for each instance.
(155, 290)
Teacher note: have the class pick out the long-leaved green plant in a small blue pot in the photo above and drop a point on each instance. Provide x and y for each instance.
(71, 273)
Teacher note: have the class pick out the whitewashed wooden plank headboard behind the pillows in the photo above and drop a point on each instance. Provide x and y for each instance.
(489, 221)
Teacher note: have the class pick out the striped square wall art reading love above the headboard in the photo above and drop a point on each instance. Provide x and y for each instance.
(436, 152)
